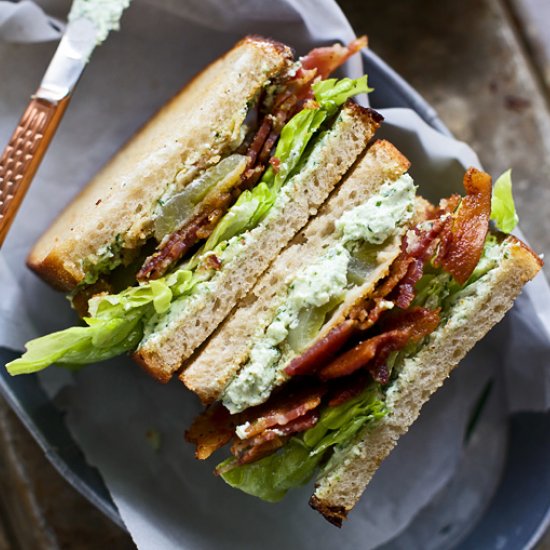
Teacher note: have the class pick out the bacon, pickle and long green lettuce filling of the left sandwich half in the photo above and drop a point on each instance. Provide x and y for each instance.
(188, 260)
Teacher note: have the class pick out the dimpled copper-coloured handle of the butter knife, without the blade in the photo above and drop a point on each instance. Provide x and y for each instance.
(23, 155)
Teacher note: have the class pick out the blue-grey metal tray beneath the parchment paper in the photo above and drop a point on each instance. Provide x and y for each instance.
(519, 511)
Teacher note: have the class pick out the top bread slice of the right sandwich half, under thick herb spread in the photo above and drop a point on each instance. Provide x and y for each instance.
(220, 360)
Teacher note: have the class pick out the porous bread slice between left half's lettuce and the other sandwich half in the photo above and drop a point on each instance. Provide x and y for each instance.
(177, 334)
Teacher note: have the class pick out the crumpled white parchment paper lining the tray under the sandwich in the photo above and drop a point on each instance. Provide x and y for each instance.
(165, 497)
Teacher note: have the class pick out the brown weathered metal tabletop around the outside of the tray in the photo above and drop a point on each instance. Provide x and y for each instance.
(485, 67)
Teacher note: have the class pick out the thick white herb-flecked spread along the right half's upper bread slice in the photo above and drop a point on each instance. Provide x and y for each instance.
(322, 282)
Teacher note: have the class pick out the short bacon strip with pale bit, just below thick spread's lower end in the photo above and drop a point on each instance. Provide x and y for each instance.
(282, 410)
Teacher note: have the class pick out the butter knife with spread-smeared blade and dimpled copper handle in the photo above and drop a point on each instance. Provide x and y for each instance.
(90, 21)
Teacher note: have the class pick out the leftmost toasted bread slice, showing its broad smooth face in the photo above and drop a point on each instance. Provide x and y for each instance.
(191, 132)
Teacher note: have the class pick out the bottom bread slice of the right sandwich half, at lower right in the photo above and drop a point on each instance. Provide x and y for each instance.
(339, 488)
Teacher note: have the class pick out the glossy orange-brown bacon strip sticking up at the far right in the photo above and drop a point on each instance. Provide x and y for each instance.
(465, 241)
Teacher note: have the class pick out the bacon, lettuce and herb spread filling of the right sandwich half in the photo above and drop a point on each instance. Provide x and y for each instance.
(341, 383)
